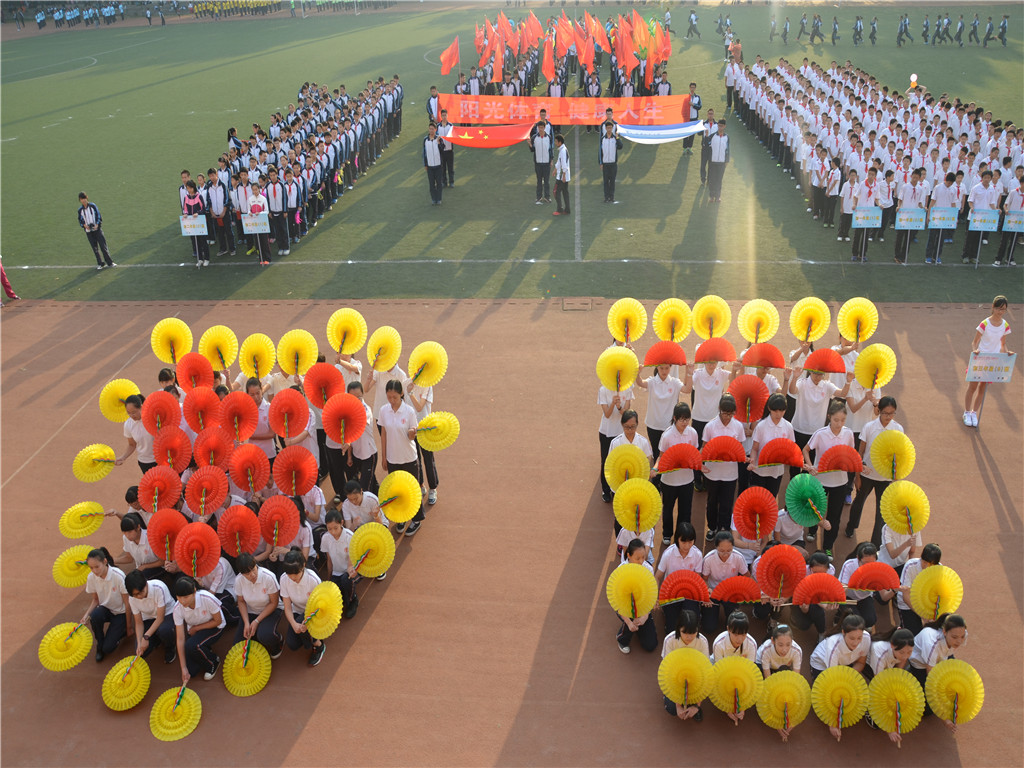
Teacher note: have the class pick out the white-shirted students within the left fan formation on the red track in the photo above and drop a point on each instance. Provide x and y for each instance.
(145, 595)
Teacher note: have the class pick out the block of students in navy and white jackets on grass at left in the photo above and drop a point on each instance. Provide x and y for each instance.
(294, 172)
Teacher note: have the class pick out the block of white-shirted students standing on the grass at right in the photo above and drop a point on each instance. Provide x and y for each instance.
(850, 143)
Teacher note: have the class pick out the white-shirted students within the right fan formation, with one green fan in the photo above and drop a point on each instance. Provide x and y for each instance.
(797, 409)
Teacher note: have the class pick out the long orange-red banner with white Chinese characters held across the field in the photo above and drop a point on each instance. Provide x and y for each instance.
(505, 110)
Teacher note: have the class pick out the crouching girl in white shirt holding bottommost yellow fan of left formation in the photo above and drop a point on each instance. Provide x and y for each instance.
(201, 612)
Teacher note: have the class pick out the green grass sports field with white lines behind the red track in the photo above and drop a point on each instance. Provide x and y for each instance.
(119, 111)
